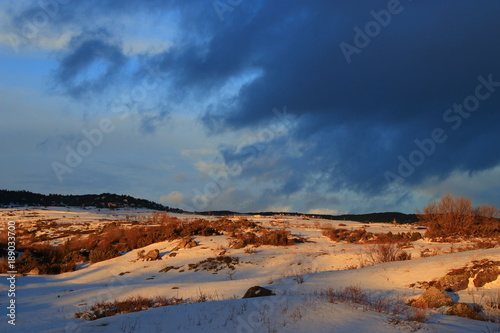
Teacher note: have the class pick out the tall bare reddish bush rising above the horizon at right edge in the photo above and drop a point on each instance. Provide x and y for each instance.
(456, 217)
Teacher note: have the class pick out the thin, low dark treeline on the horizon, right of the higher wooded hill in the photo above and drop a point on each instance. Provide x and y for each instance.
(371, 217)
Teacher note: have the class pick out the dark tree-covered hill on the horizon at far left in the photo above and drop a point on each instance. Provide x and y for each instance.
(104, 200)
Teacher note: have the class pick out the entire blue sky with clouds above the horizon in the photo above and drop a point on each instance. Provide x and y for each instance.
(322, 107)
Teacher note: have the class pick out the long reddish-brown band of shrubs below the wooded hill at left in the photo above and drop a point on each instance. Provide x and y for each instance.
(112, 239)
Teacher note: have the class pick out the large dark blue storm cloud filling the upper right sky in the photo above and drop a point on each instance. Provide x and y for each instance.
(359, 117)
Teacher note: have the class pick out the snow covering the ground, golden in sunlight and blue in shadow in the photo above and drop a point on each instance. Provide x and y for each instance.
(298, 274)
